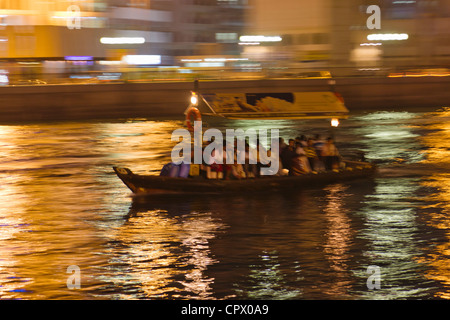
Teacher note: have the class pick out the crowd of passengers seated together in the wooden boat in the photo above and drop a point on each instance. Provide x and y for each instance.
(299, 156)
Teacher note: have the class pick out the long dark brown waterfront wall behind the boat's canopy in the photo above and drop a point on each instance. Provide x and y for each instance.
(141, 100)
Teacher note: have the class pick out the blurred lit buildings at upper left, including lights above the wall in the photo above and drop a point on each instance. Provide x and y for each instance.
(51, 40)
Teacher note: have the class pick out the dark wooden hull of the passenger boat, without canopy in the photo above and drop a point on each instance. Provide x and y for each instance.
(152, 185)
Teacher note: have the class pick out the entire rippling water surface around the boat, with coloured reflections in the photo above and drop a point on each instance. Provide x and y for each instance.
(61, 206)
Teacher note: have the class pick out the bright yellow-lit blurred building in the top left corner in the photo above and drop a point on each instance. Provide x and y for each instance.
(50, 28)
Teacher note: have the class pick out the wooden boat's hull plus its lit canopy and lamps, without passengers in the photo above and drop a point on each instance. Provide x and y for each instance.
(292, 105)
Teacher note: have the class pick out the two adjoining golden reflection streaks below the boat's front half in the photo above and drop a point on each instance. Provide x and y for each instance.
(172, 253)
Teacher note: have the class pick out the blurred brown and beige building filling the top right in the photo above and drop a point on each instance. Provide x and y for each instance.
(334, 33)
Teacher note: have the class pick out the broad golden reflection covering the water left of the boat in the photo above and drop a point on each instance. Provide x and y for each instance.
(51, 185)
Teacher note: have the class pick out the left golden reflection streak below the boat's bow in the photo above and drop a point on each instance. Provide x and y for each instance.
(145, 241)
